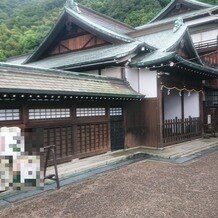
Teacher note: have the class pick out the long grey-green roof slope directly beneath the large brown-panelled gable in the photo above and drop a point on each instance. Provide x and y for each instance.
(95, 55)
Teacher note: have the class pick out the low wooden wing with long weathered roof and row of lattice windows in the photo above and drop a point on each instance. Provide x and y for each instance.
(81, 114)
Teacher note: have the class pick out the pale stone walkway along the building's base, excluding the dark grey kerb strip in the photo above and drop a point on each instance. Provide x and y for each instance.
(171, 152)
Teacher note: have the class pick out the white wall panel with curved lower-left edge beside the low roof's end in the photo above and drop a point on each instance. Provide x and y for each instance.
(132, 76)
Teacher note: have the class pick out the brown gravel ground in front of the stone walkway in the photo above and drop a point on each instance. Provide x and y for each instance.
(144, 189)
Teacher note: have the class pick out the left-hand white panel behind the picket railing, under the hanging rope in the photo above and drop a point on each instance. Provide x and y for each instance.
(172, 105)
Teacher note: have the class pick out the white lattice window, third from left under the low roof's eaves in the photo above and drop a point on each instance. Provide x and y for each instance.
(90, 112)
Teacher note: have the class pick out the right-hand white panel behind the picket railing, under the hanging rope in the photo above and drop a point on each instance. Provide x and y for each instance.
(191, 105)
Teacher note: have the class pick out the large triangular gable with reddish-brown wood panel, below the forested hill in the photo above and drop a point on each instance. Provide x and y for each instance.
(76, 30)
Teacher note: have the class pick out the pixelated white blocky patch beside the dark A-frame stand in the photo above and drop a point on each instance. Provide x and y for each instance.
(18, 170)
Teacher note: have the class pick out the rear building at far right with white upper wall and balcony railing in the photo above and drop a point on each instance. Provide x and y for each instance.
(202, 21)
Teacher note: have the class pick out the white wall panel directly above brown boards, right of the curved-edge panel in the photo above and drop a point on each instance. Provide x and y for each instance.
(148, 83)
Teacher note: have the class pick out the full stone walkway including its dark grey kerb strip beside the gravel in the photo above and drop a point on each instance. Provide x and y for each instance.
(79, 170)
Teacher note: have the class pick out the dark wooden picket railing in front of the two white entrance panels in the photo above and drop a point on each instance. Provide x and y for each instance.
(178, 130)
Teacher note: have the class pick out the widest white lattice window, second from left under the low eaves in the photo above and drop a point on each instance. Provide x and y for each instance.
(49, 113)
